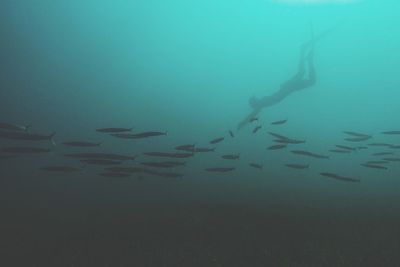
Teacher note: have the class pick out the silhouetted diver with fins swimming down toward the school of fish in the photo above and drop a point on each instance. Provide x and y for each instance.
(298, 82)
